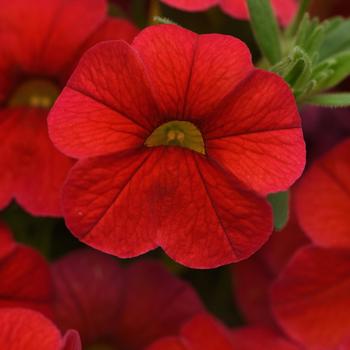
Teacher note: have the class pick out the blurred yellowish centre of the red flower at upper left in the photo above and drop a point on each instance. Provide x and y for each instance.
(37, 93)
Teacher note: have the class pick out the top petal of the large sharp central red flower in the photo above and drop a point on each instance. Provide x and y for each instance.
(191, 74)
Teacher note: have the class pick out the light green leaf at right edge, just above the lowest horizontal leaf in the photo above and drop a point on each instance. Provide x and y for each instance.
(340, 66)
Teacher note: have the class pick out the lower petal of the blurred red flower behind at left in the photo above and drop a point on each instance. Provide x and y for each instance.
(38, 170)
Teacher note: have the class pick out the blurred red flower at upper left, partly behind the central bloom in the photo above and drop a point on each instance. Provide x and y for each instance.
(40, 45)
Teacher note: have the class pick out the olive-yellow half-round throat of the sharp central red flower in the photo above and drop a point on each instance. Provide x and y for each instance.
(177, 133)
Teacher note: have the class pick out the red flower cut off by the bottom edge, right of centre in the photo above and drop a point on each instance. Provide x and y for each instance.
(204, 332)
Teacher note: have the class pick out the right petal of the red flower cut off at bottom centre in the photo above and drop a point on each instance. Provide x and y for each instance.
(257, 338)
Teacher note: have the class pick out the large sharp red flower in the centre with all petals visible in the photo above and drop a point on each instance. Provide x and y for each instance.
(175, 135)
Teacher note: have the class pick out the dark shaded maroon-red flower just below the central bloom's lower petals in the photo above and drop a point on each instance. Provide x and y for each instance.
(123, 308)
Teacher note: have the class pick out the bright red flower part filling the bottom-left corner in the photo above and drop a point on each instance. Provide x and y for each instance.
(22, 329)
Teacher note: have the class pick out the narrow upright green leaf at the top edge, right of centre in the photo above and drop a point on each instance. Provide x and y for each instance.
(265, 28)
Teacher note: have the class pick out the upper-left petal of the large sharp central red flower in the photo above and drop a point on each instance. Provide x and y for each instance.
(106, 107)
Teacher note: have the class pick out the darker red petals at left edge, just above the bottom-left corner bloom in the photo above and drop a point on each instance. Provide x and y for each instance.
(25, 279)
